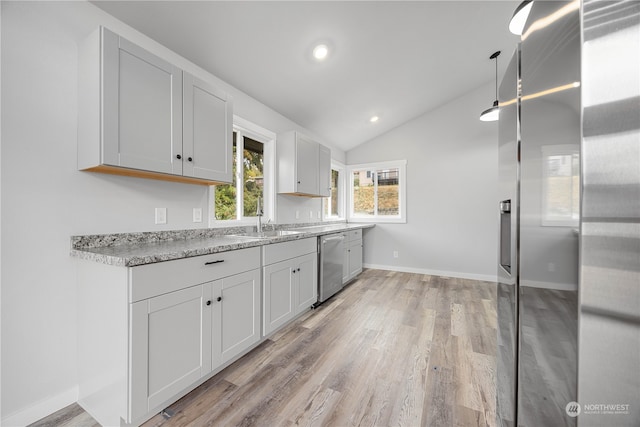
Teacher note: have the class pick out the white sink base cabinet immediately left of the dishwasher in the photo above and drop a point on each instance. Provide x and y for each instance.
(290, 281)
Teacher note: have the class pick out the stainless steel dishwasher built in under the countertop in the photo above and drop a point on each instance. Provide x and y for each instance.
(331, 253)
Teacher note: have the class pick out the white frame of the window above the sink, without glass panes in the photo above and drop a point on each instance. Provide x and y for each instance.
(246, 128)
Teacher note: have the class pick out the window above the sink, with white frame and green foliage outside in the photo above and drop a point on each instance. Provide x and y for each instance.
(252, 177)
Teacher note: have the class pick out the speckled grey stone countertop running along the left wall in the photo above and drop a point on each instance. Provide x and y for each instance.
(133, 249)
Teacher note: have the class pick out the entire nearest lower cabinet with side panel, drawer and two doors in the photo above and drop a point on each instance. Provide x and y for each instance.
(161, 329)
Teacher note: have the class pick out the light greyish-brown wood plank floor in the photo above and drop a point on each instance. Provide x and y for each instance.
(390, 349)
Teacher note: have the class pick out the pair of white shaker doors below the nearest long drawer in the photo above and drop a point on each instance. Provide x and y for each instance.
(182, 336)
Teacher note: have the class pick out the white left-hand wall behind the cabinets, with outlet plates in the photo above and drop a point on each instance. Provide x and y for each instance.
(45, 199)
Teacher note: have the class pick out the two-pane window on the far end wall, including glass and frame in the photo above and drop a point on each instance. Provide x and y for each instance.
(378, 192)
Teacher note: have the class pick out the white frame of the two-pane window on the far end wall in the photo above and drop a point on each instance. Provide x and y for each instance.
(401, 165)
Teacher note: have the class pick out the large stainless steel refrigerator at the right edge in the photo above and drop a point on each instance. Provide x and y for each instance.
(569, 212)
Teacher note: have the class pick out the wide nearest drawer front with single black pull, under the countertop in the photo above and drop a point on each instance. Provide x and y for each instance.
(147, 281)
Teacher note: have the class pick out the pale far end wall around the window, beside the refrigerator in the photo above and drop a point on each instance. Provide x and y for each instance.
(452, 178)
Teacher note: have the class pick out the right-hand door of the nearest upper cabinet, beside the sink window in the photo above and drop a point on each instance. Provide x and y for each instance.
(208, 131)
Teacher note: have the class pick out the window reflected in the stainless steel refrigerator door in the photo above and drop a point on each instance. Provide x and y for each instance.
(560, 185)
